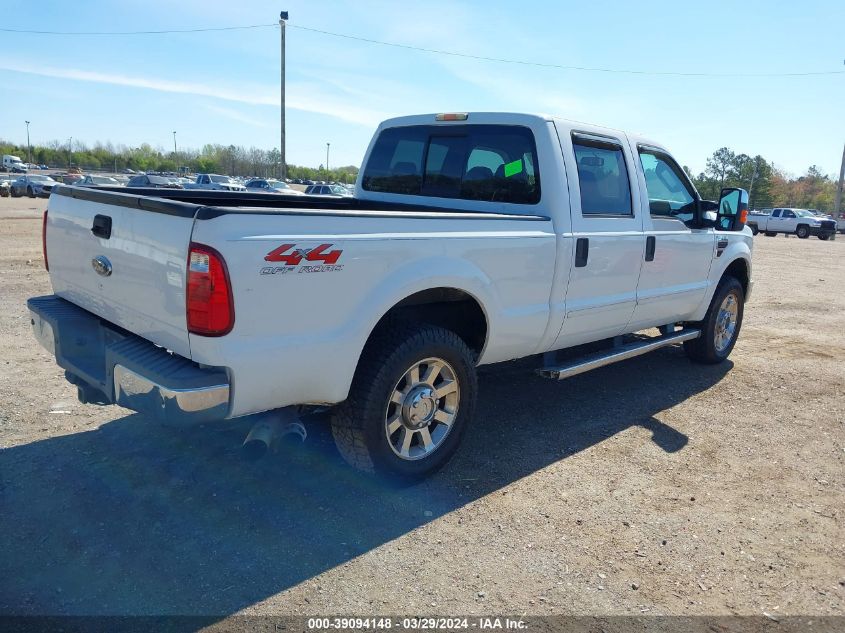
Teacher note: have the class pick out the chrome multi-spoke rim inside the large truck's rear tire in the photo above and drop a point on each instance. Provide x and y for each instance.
(422, 409)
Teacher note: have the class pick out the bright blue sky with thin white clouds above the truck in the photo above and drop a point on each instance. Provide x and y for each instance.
(223, 87)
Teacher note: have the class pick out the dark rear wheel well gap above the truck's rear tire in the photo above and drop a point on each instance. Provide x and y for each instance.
(449, 308)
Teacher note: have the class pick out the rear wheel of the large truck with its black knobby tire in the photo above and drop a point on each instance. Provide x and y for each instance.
(410, 402)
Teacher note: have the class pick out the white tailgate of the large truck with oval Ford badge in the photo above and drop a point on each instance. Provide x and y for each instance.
(134, 278)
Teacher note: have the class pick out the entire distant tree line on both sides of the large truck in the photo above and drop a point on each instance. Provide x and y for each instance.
(767, 185)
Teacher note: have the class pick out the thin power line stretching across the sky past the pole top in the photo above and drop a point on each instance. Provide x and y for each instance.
(435, 51)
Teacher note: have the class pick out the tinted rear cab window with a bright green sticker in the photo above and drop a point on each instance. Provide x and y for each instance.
(492, 163)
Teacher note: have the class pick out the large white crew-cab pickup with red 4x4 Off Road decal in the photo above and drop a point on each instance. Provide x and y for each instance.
(472, 239)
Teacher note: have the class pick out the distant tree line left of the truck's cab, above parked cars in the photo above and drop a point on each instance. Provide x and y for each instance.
(234, 160)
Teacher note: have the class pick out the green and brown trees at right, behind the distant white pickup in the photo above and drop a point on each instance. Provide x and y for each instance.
(767, 185)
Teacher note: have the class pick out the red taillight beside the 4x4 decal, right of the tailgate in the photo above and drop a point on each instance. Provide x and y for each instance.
(208, 299)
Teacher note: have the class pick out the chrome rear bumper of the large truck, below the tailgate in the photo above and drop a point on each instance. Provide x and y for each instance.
(111, 366)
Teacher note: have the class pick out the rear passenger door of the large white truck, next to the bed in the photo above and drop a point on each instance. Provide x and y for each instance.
(607, 228)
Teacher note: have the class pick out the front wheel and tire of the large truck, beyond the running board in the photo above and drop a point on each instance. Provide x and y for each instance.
(720, 326)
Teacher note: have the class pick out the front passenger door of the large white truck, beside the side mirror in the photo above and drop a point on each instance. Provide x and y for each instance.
(676, 266)
